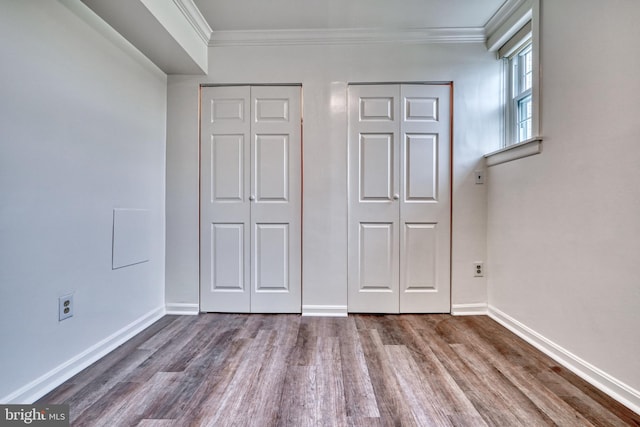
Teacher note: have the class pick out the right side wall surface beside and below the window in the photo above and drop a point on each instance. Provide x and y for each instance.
(564, 226)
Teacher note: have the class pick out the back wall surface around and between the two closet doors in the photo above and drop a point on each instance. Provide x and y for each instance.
(324, 72)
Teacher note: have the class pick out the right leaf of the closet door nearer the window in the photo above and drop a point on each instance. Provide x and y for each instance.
(425, 199)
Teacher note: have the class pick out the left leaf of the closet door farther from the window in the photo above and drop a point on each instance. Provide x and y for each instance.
(225, 226)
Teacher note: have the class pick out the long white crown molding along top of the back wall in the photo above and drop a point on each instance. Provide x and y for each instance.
(346, 36)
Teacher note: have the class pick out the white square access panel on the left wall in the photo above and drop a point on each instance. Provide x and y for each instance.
(131, 237)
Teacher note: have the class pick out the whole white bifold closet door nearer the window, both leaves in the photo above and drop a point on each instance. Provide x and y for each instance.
(399, 198)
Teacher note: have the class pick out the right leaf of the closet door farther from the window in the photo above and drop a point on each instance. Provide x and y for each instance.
(276, 200)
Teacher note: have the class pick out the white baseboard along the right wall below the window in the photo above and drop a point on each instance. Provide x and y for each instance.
(618, 390)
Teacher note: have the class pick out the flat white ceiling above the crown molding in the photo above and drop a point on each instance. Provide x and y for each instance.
(243, 15)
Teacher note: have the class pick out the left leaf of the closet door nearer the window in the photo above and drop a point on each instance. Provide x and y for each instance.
(374, 186)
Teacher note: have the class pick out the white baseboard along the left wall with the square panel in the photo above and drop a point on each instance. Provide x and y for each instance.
(52, 379)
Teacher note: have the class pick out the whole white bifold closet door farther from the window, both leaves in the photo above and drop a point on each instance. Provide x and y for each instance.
(250, 208)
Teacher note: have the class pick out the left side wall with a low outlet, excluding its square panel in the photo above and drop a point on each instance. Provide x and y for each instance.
(82, 131)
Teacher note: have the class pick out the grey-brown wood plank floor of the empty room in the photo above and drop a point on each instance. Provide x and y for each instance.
(364, 370)
